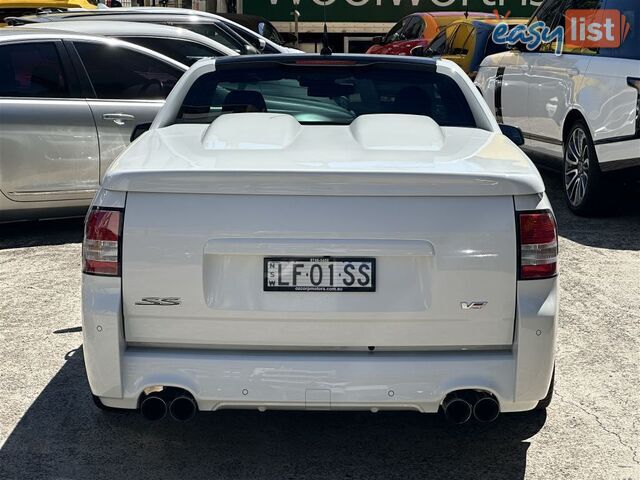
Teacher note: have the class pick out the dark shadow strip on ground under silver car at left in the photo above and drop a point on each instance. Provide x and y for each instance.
(41, 233)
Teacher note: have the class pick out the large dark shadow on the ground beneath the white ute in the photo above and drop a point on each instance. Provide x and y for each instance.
(63, 435)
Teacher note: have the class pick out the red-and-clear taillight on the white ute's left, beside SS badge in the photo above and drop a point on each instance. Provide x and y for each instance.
(102, 242)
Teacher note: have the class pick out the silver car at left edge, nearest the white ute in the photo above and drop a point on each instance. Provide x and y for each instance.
(68, 105)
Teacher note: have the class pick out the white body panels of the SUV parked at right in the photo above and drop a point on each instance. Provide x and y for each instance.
(542, 93)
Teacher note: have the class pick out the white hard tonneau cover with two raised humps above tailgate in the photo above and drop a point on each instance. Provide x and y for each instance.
(375, 155)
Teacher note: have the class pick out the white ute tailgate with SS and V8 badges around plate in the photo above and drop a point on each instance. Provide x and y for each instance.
(207, 252)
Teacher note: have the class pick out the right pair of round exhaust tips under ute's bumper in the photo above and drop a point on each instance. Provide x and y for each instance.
(461, 405)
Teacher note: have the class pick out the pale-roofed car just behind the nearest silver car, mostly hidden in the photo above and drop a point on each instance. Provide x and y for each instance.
(182, 45)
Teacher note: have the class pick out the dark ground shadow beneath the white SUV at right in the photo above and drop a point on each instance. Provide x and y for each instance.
(620, 230)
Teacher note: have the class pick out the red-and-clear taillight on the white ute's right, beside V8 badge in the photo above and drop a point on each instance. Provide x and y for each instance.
(538, 245)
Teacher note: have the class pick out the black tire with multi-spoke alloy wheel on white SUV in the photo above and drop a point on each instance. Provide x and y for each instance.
(582, 178)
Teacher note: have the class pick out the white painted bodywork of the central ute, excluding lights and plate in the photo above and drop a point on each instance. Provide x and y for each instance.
(205, 204)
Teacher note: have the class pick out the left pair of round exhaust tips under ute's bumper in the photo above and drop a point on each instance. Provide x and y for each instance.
(156, 402)
